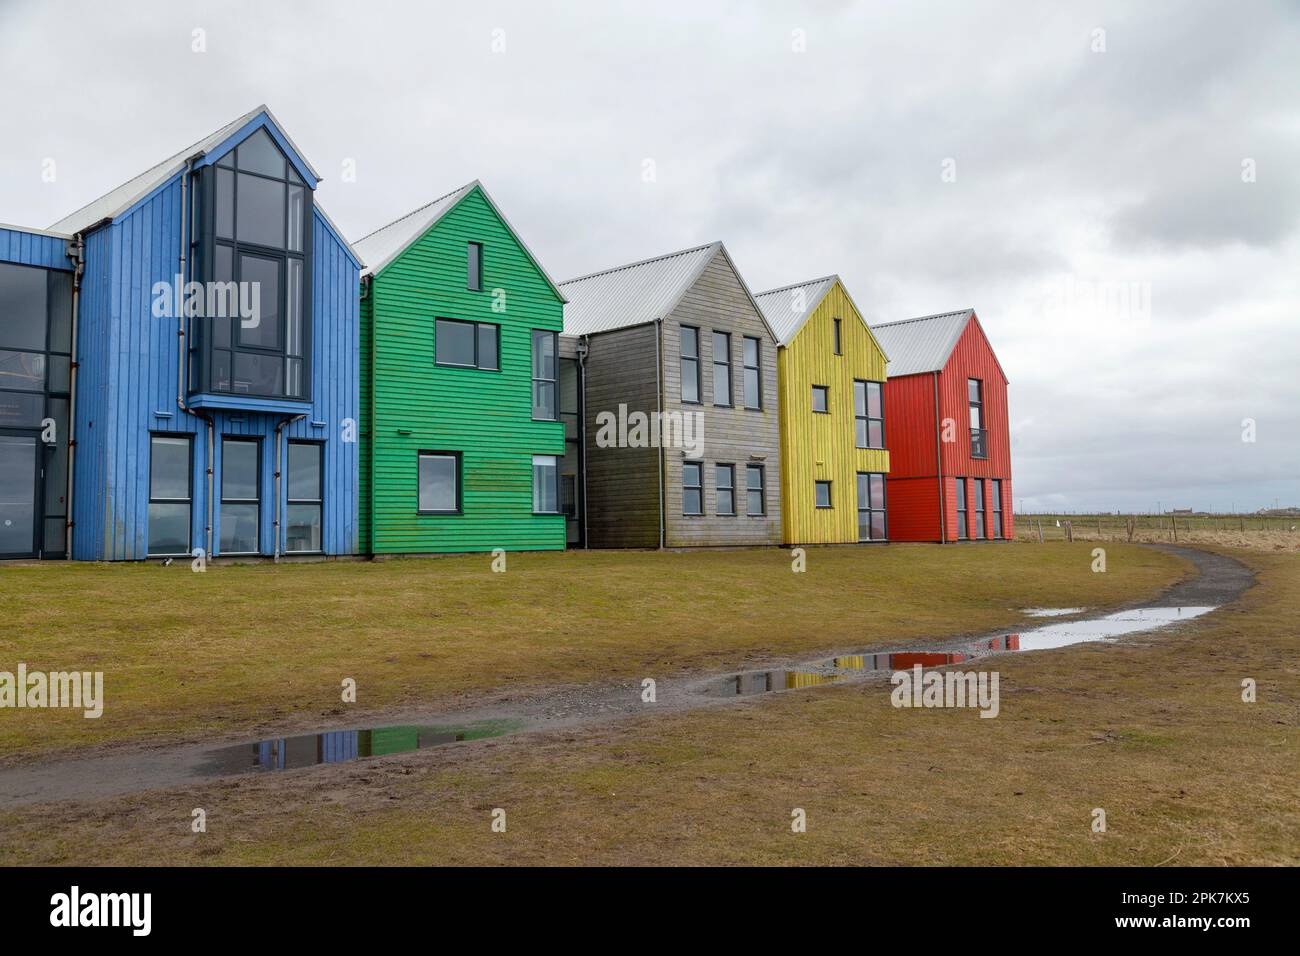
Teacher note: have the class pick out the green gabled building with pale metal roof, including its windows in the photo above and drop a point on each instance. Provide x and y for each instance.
(461, 430)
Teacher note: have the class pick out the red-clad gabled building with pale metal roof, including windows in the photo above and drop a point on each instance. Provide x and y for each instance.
(947, 431)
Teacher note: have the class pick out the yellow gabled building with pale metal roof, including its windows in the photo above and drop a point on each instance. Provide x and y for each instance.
(831, 375)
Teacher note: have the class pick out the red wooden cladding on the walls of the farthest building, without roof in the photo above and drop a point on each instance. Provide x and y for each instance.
(912, 431)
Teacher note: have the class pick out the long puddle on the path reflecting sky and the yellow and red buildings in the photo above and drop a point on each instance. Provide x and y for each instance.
(1041, 639)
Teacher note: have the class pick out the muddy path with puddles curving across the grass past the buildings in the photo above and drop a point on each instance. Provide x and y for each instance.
(1217, 581)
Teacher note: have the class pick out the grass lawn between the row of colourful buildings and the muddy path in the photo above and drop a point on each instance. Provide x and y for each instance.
(190, 655)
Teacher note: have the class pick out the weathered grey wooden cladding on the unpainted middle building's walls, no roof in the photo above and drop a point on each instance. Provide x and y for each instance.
(623, 501)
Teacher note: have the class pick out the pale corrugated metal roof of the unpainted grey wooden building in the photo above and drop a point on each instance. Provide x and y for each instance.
(632, 295)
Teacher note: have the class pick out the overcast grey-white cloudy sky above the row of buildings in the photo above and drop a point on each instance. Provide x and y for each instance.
(1074, 172)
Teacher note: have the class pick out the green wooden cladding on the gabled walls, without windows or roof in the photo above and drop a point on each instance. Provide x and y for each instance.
(411, 405)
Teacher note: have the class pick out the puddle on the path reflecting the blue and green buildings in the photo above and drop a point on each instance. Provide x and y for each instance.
(341, 746)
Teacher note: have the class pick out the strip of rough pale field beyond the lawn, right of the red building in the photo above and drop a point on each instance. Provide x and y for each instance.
(1254, 533)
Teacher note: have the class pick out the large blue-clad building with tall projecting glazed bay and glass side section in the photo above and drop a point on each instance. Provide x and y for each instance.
(198, 327)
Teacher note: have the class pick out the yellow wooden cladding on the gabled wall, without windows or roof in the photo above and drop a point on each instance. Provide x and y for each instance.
(822, 447)
